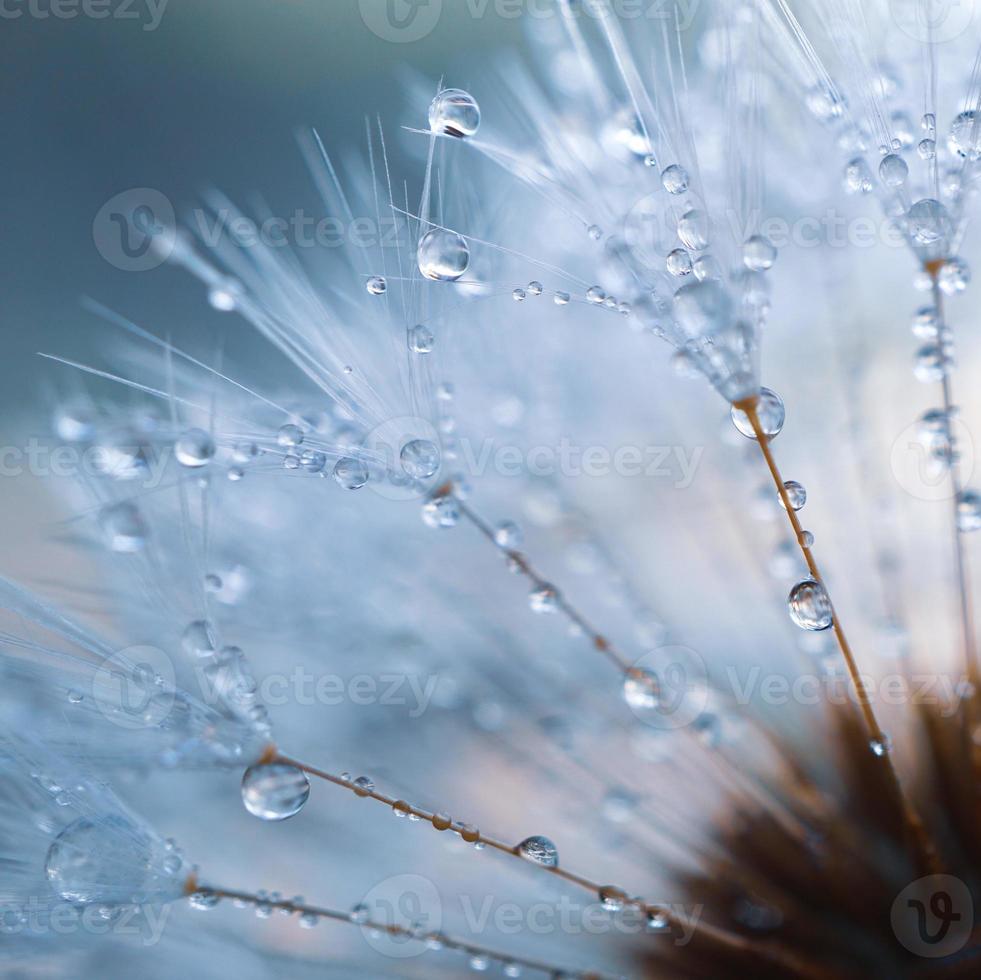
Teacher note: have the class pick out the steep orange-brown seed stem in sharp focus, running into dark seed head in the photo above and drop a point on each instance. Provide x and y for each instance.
(918, 838)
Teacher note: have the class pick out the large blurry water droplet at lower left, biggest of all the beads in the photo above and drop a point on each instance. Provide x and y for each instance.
(99, 859)
